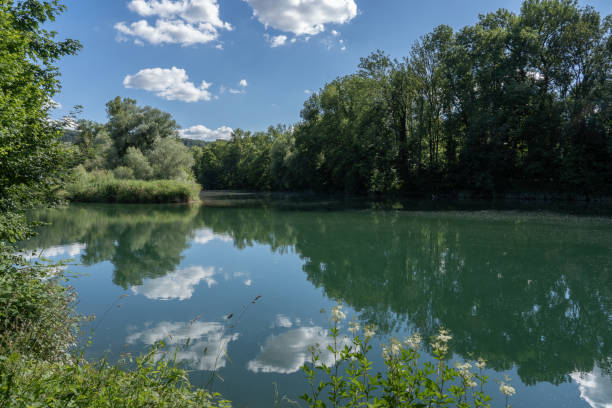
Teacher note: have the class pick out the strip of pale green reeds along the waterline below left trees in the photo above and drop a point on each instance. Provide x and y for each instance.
(103, 187)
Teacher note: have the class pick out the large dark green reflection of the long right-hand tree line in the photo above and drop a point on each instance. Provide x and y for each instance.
(514, 289)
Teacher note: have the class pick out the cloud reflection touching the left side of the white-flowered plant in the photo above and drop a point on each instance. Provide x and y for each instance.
(287, 352)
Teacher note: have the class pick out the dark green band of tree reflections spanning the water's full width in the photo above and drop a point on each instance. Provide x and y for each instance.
(520, 289)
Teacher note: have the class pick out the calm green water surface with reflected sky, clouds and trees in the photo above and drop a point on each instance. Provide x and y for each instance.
(530, 292)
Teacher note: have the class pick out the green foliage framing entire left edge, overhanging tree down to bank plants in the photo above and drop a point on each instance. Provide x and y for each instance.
(38, 325)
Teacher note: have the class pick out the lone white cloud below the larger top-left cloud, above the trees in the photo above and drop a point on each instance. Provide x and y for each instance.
(171, 84)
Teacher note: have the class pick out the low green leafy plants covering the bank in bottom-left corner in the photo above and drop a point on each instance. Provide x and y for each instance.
(28, 382)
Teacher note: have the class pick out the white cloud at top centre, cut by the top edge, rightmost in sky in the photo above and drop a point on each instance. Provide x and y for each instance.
(303, 17)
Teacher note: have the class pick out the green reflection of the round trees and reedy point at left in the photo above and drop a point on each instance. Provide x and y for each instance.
(140, 241)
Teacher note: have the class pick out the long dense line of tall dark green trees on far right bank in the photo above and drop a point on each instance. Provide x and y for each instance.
(515, 102)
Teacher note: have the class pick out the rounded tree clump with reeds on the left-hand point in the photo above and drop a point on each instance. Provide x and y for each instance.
(136, 157)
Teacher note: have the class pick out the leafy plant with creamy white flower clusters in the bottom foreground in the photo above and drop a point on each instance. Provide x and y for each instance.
(349, 381)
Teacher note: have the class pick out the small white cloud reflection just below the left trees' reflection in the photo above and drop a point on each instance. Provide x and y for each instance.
(176, 285)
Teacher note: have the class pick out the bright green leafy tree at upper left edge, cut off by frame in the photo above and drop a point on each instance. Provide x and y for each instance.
(33, 162)
